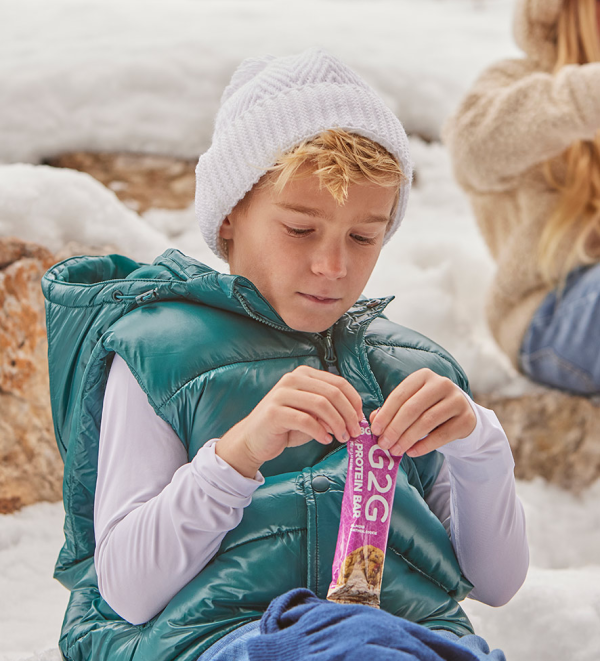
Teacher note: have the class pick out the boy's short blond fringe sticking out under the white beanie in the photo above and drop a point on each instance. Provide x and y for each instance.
(338, 158)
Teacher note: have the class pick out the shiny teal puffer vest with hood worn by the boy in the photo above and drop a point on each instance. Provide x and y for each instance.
(206, 347)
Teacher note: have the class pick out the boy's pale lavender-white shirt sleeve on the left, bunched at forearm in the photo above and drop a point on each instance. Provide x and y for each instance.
(158, 519)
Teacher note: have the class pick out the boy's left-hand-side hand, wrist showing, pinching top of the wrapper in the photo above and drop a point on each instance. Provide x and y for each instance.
(304, 404)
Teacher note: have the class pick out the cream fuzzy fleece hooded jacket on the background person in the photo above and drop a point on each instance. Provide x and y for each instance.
(517, 116)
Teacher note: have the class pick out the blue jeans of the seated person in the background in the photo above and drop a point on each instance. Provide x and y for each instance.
(561, 347)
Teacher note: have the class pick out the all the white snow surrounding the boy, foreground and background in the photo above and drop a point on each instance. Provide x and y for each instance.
(147, 76)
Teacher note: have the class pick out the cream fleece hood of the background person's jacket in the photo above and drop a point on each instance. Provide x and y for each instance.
(534, 29)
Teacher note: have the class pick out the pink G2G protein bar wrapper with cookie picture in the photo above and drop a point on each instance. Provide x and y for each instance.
(365, 521)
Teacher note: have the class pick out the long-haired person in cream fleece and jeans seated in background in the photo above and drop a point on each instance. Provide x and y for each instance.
(525, 145)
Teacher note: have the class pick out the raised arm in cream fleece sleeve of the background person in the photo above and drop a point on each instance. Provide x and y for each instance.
(515, 117)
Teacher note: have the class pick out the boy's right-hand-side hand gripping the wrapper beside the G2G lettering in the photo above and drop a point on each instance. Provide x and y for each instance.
(424, 404)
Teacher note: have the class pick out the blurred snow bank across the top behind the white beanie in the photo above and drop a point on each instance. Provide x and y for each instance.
(109, 75)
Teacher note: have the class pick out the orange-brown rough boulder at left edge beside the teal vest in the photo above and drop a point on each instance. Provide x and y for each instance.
(30, 465)
